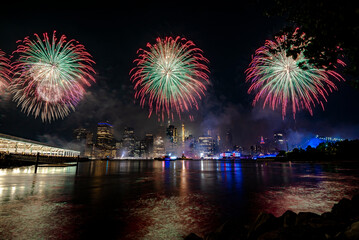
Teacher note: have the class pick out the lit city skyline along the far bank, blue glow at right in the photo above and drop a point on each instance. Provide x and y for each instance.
(100, 143)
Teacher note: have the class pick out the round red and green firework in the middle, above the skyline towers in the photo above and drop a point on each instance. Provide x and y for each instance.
(170, 76)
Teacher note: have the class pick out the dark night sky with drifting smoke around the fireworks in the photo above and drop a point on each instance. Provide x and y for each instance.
(228, 34)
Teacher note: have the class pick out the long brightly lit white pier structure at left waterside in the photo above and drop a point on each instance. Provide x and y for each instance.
(16, 145)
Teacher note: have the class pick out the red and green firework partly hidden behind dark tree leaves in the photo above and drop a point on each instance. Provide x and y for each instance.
(281, 80)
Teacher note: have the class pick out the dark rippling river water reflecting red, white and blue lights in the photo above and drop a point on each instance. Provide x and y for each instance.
(143, 199)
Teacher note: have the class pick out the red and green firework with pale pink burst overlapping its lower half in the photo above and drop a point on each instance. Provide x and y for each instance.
(50, 76)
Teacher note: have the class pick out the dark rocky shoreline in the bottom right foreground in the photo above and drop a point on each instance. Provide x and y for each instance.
(342, 222)
